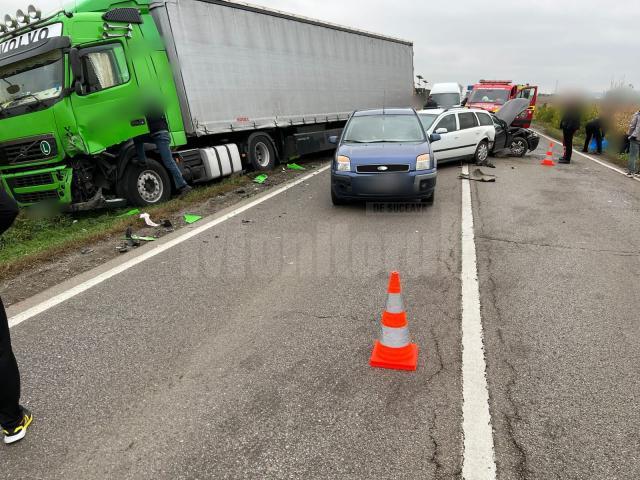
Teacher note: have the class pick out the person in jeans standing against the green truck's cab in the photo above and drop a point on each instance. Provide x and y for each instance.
(160, 137)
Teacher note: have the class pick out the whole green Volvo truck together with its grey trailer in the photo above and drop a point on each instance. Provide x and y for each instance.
(241, 87)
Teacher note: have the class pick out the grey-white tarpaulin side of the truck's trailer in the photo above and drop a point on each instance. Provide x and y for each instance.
(246, 68)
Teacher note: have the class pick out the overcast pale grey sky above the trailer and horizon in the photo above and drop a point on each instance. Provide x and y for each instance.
(585, 43)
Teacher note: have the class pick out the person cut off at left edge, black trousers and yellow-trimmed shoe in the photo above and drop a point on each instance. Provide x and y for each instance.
(14, 418)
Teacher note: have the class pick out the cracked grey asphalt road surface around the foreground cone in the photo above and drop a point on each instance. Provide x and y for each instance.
(242, 352)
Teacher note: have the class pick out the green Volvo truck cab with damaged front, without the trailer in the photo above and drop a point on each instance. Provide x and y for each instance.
(70, 91)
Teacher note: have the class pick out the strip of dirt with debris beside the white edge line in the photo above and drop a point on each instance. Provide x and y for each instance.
(37, 278)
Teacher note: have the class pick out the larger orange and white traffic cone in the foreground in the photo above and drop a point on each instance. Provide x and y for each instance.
(394, 350)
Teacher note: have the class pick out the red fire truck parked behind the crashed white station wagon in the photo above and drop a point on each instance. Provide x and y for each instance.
(492, 94)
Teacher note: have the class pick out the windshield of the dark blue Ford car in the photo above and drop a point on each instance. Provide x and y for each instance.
(384, 128)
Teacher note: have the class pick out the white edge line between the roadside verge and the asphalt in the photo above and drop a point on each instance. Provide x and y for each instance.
(98, 279)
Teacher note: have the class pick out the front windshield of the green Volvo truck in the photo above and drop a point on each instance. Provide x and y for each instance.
(31, 81)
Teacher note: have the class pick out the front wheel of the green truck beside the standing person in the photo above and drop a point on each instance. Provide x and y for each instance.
(147, 185)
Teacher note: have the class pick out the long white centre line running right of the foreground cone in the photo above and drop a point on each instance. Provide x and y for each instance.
(478, 461)
